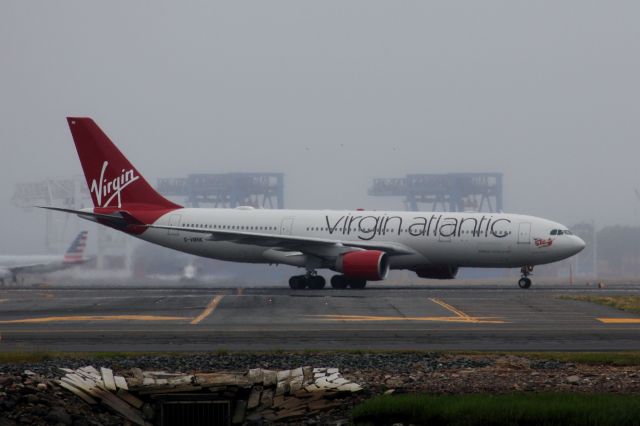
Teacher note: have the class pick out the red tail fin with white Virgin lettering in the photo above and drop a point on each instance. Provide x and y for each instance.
(112, 179)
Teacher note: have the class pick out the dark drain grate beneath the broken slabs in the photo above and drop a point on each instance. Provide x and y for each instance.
(195, 412)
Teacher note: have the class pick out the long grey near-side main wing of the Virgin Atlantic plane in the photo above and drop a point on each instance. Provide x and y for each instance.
(303, 244)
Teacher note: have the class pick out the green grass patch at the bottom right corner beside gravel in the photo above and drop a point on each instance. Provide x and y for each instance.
(497, 410)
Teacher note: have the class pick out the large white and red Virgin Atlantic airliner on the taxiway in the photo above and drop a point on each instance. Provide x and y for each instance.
(360, 245)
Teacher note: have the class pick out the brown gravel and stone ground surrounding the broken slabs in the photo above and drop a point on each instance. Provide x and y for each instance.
(32, 398)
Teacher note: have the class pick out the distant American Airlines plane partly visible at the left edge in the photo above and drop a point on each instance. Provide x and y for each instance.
(11, 266)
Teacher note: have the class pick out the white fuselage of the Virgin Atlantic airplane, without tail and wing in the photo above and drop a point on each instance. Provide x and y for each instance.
(456, 239)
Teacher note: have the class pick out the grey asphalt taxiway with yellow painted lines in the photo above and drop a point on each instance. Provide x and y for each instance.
(471, 317)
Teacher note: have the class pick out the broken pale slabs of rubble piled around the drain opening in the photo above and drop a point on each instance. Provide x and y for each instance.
(268, 395)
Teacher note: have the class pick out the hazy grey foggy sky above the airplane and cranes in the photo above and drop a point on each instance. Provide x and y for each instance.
(333, 93)
